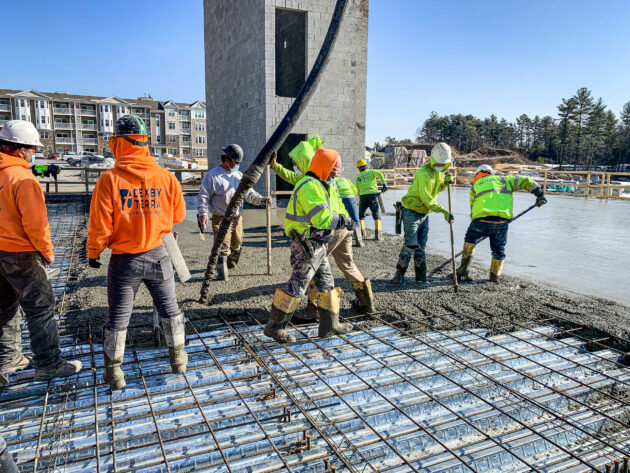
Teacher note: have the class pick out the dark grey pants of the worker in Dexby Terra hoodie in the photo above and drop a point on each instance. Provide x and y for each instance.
(127, 271)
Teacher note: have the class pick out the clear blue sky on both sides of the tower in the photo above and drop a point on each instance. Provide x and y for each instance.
(488, 56)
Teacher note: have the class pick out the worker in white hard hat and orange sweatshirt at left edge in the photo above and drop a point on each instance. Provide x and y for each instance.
(25, 247)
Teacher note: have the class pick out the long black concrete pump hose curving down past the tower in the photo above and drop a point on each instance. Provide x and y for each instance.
(253, 173)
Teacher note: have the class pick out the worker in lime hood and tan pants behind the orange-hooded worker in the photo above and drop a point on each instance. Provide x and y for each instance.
(340, 247)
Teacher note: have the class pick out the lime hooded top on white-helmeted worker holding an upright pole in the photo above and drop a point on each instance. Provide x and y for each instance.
(426, 185)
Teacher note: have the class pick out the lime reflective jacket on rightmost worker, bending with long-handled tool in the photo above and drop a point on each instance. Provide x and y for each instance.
(491, 196)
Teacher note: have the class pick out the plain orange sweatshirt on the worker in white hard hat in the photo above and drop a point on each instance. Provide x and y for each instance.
(24, 223)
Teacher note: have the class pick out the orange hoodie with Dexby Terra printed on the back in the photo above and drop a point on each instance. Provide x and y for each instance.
(134, 204)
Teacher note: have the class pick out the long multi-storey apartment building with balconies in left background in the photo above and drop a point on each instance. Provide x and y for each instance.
(75, 123)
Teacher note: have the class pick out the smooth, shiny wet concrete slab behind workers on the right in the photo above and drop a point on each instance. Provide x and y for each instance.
(574, 244)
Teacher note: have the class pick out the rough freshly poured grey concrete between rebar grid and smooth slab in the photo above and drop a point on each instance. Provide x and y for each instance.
(511, 305)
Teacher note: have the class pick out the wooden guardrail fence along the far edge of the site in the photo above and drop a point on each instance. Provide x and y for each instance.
(598, 184)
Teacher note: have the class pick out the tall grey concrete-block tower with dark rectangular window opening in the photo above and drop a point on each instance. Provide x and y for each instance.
(258, 54)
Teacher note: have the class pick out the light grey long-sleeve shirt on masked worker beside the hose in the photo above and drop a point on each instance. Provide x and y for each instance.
(217, 189)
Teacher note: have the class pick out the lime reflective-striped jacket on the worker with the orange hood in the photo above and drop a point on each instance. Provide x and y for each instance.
(311, 206)
